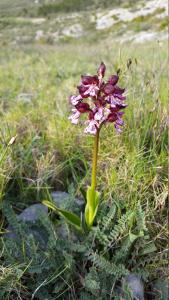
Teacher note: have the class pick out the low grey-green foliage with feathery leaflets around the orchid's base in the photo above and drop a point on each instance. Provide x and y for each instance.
(71, 266)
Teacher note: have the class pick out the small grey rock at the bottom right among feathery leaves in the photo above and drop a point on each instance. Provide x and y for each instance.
(135, 285)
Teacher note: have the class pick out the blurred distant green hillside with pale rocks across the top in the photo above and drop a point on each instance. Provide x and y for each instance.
(20, 21)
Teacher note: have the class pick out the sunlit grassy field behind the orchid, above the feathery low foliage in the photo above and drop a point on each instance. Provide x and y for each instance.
(51, 153)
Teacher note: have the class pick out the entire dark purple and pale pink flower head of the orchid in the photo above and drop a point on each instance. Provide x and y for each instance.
(105, 100)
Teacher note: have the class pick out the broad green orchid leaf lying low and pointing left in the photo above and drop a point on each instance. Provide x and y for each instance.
(69, 216)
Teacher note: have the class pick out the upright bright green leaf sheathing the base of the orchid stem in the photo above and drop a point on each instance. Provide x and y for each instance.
(91, 206)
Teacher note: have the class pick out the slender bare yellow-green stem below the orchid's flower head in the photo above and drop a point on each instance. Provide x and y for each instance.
(95, 156)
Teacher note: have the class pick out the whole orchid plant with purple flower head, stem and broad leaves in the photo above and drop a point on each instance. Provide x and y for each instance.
(102, 102)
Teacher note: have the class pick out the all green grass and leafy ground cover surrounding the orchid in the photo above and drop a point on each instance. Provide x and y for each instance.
(49, 154)
